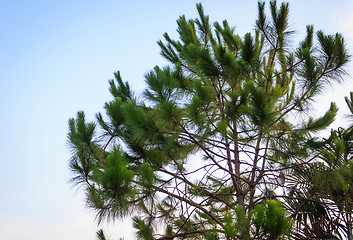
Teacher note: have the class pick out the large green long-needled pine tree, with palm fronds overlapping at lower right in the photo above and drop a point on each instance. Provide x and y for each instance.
(221, 144)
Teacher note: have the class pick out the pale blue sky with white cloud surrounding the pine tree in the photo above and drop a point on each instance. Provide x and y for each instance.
(56, 58)
